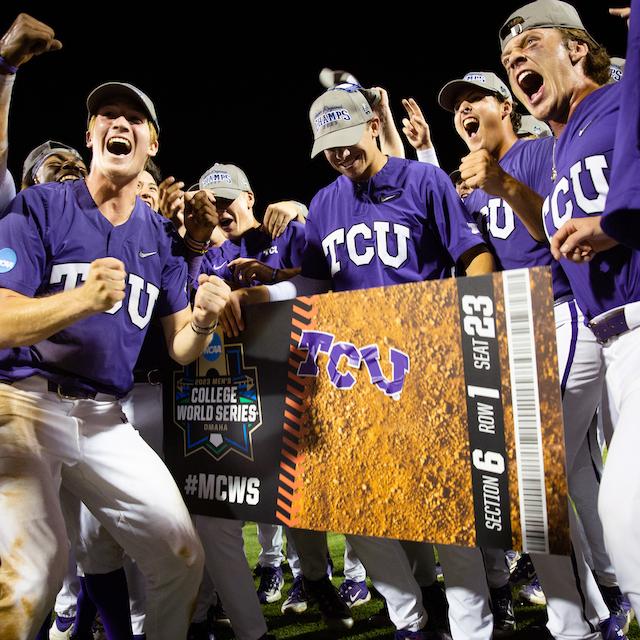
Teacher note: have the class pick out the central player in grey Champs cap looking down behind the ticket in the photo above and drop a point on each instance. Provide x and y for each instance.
(425, 247)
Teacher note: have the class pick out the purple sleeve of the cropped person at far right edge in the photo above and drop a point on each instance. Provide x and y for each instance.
(622, 212)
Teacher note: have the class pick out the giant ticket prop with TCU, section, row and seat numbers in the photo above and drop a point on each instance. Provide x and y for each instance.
(427, 411)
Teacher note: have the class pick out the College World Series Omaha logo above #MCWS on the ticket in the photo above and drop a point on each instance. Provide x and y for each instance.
(217, 402)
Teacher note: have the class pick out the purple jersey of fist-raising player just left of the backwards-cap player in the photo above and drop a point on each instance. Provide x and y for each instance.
(528, 161)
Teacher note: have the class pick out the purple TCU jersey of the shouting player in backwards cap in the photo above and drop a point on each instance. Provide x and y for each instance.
(583, 159)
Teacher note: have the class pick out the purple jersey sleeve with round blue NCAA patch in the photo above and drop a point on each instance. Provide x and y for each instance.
(22, 245)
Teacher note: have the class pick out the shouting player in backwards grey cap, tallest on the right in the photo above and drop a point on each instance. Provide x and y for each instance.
(561, 75)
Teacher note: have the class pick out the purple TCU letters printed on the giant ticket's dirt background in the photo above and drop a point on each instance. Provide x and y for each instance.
(316, 342)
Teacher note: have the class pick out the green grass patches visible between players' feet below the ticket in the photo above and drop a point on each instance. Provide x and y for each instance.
(310, 627)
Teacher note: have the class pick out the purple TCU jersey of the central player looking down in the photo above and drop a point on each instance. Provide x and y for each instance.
(405, 224)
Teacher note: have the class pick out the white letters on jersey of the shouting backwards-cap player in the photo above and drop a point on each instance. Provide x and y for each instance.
(560, 203)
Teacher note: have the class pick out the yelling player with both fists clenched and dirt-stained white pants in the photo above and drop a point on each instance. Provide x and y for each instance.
(79, 295)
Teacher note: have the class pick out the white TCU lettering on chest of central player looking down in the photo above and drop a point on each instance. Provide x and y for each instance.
(360, 244)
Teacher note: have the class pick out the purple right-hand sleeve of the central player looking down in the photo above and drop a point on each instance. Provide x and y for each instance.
(456, 226)
